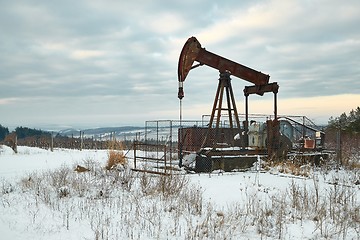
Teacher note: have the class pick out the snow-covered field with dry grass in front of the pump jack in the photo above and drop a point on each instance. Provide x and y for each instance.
(42, 197)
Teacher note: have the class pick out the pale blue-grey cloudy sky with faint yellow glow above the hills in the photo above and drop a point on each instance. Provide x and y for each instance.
(88, 63)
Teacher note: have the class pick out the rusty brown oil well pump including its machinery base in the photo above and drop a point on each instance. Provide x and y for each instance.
(237, 145)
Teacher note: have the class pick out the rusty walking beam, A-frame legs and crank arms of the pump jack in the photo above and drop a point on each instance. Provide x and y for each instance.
(191, 52)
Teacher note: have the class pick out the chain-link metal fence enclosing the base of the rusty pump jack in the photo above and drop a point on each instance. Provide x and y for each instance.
(217, 146)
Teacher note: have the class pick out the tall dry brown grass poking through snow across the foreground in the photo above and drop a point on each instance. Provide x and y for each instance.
(166, 207)
